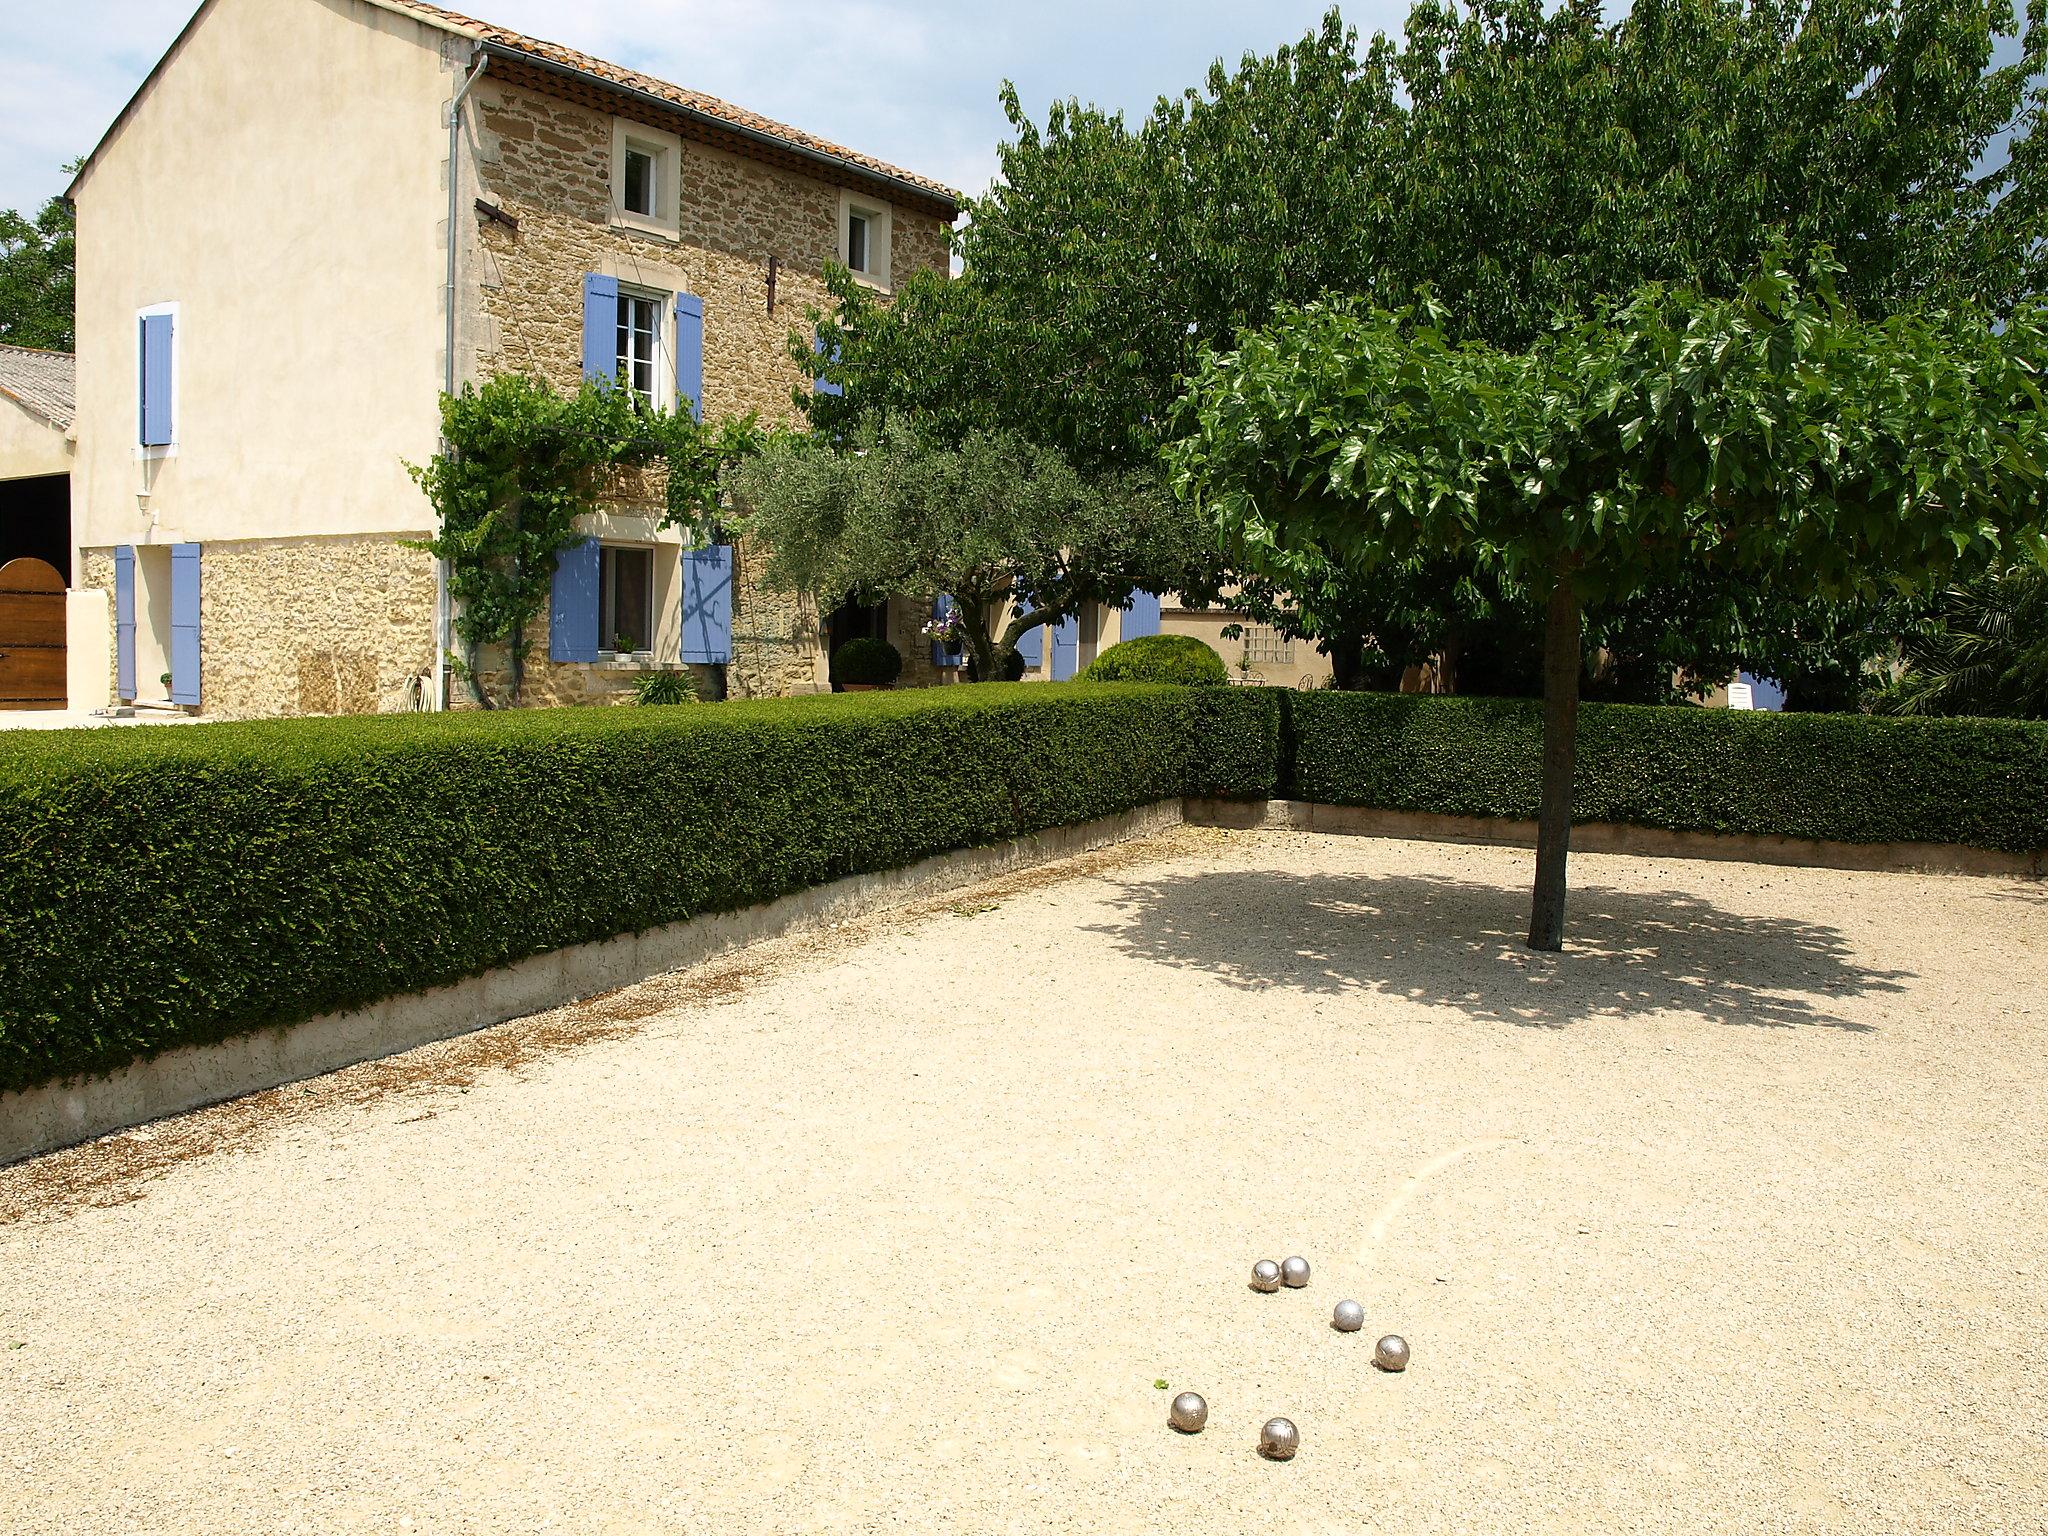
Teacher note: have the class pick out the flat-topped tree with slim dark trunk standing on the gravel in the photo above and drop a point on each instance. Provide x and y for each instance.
(1770, 439)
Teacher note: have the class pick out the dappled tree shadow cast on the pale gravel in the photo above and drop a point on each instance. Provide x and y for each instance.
(1461, 943)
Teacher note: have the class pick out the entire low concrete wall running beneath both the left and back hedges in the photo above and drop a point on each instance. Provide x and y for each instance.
(60, 1115)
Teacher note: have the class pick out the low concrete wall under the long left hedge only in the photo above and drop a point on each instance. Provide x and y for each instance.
(58, 1115)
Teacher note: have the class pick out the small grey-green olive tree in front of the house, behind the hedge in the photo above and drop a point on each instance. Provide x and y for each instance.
(986, 519)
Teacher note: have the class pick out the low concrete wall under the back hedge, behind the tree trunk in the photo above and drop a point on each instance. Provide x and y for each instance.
(1615, 839)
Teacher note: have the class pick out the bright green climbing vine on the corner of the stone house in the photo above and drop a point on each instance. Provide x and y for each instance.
(521, 464)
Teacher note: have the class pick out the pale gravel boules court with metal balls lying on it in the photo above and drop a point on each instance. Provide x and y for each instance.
(1732, 1220)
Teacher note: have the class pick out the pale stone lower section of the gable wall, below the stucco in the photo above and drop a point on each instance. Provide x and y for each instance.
(304, 626)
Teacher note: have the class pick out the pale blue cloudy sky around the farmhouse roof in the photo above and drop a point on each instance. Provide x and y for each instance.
(908, 81)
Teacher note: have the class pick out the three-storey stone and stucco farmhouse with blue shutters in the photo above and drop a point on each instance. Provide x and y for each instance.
(321, 214)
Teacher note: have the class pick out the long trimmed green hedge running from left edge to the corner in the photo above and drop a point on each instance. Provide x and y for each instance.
(181, 886)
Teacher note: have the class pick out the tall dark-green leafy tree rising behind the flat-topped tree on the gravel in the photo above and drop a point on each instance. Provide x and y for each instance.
(1519, 163)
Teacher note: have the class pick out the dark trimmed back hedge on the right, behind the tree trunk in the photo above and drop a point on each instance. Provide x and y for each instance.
(1830, 777)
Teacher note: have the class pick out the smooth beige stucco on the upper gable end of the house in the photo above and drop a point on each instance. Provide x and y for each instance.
(282, 183)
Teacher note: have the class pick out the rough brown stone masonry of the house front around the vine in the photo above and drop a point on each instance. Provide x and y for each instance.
(548, 165)
